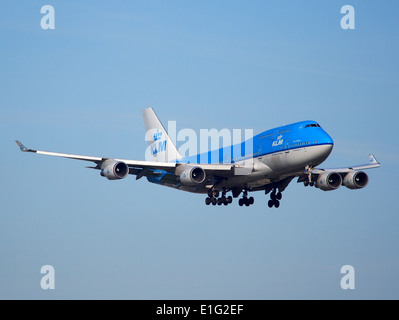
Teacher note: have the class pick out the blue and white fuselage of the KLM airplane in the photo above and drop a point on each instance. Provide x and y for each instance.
(270, 156)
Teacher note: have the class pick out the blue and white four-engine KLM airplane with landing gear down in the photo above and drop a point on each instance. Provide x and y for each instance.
(275, 158)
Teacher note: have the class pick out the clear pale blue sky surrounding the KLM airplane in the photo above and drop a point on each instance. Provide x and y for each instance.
(231, 64)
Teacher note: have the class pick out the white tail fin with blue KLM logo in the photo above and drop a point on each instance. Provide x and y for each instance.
(161, 147)
